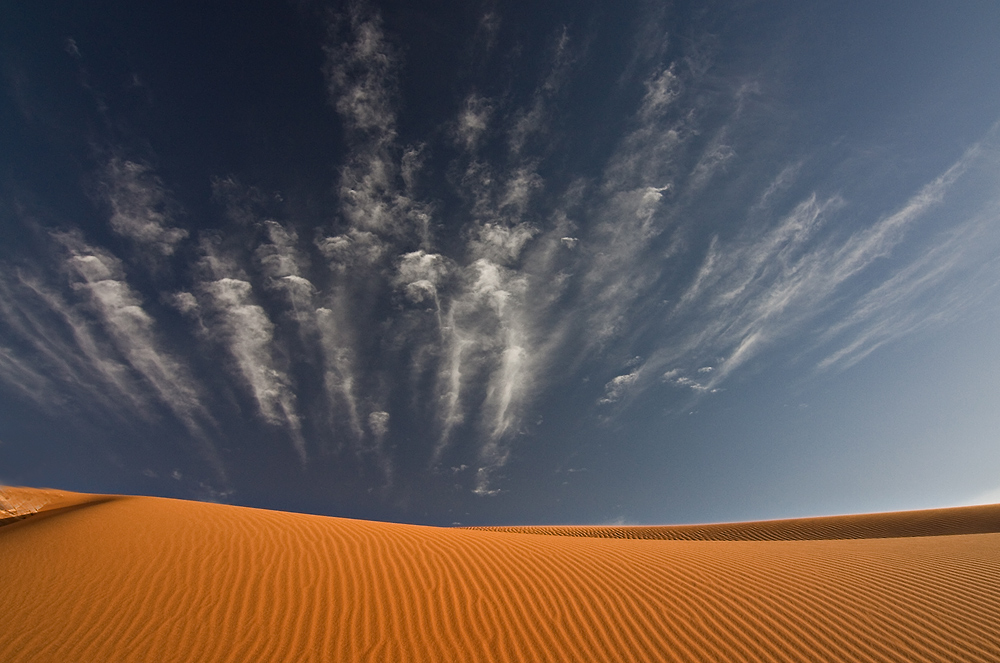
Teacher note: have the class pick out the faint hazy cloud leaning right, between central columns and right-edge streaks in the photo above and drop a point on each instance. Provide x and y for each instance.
(645, 191)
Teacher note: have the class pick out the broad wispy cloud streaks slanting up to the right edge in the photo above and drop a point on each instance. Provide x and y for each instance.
(774, 282)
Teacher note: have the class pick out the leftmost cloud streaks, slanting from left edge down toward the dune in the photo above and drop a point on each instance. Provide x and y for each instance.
(96, 343)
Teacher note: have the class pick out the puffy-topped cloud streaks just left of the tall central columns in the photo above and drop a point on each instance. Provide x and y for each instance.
(324, 322)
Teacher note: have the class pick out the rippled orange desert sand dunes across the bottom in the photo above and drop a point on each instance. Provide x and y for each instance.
(111, 578)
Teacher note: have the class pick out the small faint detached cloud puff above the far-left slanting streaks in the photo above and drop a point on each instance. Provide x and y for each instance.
(140, 206)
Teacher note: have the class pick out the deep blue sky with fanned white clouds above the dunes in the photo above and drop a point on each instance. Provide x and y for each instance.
(453, 262)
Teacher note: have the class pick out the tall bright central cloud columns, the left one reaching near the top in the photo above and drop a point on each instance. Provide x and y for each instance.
(481, 337)
